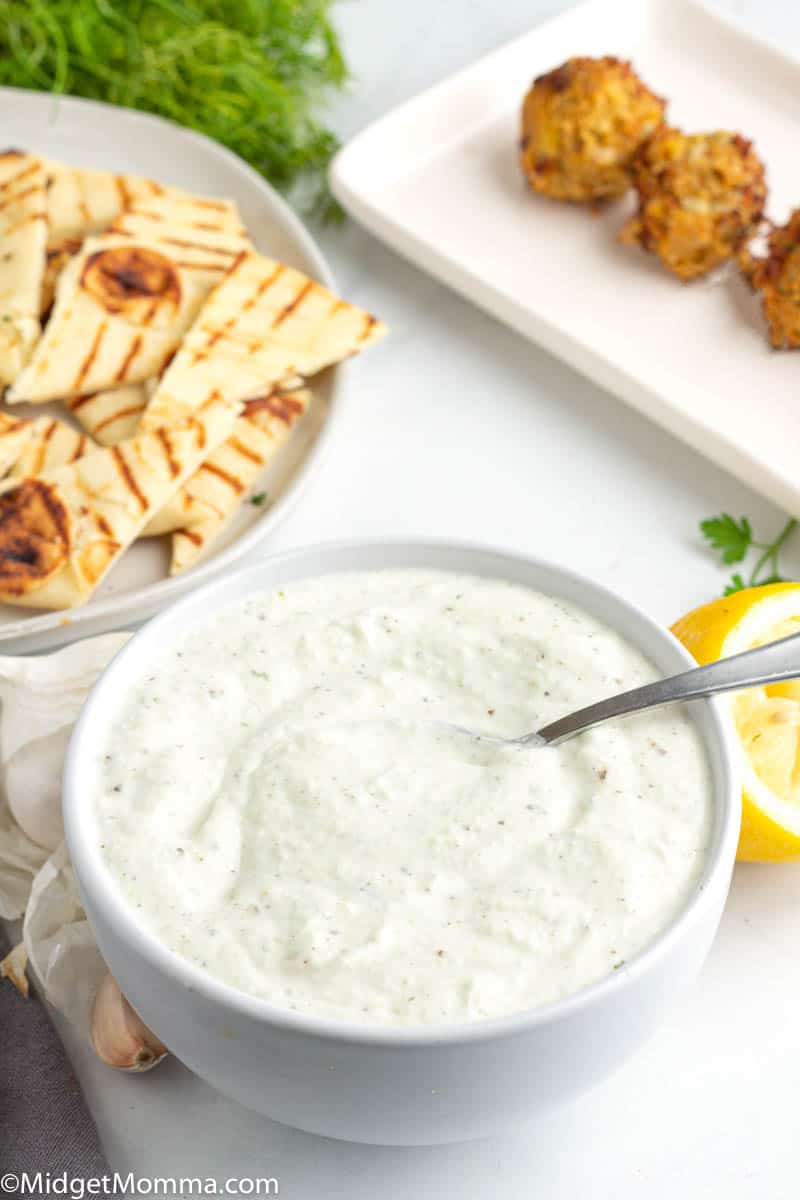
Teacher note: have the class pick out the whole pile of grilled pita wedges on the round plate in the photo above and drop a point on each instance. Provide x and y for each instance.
(161, 322)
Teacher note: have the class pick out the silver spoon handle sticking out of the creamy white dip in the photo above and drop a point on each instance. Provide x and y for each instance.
(773, 663)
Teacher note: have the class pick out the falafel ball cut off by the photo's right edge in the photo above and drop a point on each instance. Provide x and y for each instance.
(778, 279)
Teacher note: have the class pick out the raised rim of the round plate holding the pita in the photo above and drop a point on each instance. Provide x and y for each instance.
(44, 631)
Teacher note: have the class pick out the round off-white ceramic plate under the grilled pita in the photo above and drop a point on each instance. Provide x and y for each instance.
(92, 135)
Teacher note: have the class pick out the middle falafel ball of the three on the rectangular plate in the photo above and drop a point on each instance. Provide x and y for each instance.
(701, 197)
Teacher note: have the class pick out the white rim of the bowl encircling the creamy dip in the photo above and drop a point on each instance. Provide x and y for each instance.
(95, 879)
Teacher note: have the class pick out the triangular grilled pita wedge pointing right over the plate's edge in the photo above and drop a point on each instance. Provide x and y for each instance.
(263, 325)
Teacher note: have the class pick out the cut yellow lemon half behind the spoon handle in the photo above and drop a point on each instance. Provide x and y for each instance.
(767, 719)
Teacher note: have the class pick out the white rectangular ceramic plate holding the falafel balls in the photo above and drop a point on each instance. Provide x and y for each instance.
(440, 181)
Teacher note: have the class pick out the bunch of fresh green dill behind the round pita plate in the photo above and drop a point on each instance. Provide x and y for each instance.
(250, 74)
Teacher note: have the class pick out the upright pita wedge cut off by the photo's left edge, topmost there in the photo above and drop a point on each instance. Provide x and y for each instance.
(23, 235)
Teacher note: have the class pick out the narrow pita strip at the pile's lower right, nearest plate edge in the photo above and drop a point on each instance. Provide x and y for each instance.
(203, 507)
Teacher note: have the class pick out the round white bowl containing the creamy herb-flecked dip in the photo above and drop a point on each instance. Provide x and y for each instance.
(395, 1085)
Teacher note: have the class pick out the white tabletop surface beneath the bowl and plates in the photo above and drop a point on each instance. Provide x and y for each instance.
(459, 428)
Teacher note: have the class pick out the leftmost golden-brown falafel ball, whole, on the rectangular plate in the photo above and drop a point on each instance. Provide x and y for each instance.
(581, 127)
